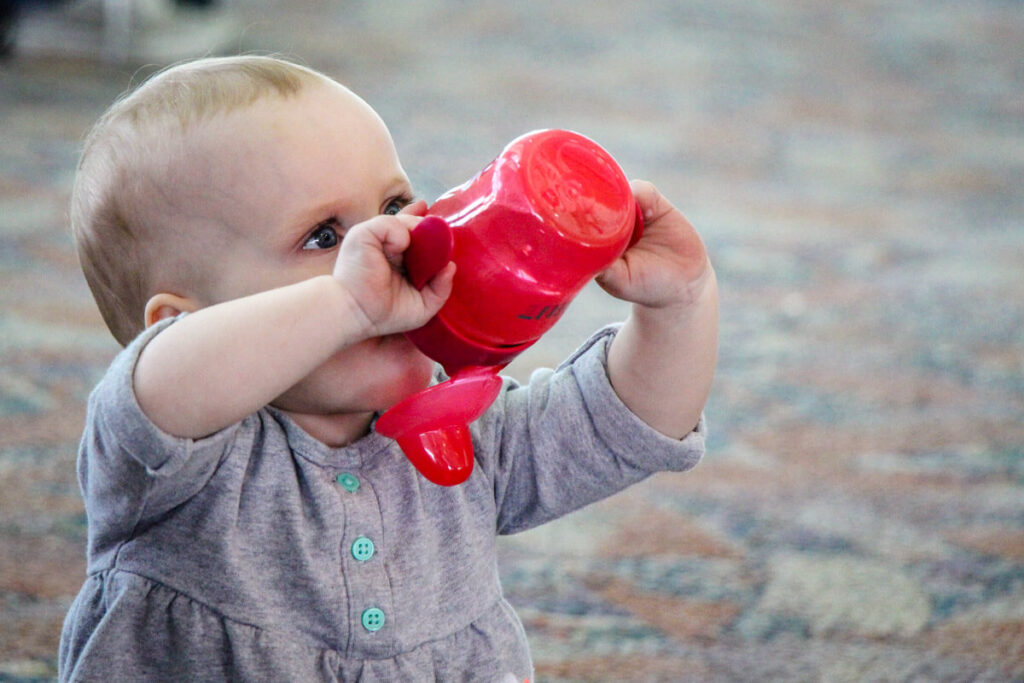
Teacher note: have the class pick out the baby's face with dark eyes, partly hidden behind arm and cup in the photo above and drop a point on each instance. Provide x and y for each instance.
(274, 190)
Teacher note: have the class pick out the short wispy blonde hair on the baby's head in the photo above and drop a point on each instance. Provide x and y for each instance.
(111, 211)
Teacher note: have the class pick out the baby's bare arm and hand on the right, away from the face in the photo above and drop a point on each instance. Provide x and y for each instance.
(662, 362)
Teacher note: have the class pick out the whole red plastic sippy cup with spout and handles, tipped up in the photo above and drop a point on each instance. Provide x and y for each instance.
(528, 233)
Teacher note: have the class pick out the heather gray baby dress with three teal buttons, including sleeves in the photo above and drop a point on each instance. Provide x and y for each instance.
(261, 554)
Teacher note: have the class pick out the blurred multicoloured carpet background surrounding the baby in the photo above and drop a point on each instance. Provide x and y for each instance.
(858, 173)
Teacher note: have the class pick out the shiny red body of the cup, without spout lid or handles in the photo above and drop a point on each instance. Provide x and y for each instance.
(530, 232)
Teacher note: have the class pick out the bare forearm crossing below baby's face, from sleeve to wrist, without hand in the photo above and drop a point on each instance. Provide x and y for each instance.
(223, 363)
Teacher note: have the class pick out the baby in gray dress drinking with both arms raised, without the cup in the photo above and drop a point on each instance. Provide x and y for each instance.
(241, 223)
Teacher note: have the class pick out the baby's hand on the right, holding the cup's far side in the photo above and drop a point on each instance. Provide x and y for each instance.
(668, 267)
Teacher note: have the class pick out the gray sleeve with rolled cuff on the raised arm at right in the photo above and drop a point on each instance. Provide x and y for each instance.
(566, 440)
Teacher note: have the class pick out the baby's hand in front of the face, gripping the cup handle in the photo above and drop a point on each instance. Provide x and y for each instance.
(369, 267)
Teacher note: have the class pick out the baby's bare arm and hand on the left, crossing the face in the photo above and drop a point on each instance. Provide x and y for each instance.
(225, 362)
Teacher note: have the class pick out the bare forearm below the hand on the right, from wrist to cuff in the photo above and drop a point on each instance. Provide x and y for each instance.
(662, 363)
